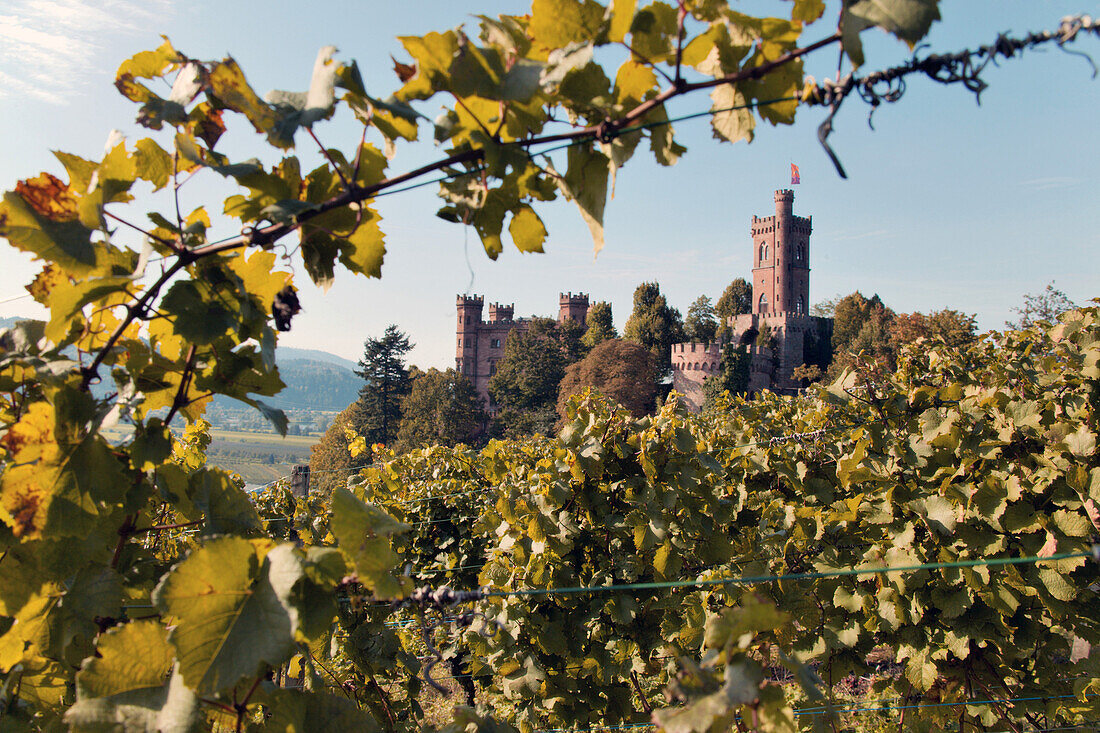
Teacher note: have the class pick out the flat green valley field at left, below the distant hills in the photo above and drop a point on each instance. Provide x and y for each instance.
(258, 457)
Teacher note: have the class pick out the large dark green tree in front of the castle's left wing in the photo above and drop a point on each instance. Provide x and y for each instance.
(525, 386)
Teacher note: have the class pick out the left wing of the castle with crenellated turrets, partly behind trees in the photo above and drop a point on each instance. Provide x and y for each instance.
(481, 343)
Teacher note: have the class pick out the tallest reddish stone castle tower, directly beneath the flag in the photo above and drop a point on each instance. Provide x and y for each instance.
(782, 259)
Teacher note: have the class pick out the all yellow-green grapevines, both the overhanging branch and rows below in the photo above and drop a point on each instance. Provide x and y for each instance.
(904, 550)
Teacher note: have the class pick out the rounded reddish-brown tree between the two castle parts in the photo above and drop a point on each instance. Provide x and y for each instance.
(621, 370)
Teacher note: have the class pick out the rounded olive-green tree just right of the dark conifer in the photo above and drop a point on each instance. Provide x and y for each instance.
(442, 409)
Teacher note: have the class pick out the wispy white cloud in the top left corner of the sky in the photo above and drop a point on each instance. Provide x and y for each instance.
(49, 49)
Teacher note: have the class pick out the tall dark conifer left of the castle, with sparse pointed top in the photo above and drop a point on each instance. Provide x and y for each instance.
(388, 384)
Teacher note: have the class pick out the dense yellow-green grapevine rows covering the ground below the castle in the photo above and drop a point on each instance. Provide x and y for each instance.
(694, 573)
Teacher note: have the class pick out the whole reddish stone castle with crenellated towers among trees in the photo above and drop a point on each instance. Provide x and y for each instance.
(780, 300)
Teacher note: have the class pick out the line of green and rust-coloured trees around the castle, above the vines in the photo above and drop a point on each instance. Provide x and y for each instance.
(548, 363)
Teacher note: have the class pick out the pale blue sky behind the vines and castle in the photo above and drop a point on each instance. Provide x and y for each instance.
(948, 205)
